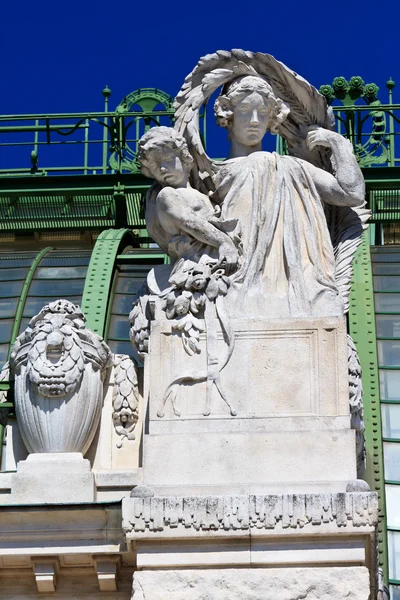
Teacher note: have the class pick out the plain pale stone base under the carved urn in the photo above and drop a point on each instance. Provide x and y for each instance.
(53, 478)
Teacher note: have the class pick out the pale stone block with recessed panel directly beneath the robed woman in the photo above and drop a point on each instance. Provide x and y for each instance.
(287, 368)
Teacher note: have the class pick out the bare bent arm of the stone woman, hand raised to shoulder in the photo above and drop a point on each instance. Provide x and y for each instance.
(346, 187)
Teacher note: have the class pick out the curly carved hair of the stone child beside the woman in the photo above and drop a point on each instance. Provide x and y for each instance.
(159, 138)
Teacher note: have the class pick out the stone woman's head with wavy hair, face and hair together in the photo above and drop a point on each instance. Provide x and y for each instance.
(248, 108)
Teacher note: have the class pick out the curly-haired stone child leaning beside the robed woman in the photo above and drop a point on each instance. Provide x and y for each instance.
(180, 219)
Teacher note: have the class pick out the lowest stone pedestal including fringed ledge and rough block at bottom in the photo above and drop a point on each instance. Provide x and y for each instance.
(258, 547)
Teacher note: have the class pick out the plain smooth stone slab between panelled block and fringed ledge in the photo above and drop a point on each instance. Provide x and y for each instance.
(240, 463)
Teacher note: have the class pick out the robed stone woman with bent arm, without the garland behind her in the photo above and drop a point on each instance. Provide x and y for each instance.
(288, 266)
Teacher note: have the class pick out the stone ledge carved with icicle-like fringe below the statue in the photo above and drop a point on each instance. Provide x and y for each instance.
(145, 517)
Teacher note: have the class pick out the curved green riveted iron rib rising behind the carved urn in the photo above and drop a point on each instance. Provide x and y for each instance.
(99, 276)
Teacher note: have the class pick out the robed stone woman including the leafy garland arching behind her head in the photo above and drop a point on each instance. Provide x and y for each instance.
(289, 260)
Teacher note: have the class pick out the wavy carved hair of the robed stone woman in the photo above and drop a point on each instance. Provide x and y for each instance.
(236, 90)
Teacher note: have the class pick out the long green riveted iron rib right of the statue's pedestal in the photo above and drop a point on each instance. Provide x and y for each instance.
(363, 331)
